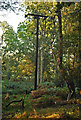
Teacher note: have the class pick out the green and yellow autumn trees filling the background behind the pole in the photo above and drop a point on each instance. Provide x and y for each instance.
(59, 47)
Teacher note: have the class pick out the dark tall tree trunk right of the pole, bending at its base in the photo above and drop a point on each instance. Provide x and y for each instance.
(63, 72)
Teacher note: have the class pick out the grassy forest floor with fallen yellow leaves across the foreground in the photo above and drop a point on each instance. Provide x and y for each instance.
(14, 110)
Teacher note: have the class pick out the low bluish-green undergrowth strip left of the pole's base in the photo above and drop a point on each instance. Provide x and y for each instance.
(17, 87)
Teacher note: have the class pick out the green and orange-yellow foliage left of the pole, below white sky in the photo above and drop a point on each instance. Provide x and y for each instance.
(15, 65)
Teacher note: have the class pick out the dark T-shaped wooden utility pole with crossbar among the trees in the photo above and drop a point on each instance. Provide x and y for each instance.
(37, 44)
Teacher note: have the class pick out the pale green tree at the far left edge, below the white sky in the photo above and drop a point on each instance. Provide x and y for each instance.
(10, 39)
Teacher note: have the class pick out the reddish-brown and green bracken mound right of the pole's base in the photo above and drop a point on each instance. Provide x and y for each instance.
(48, 94)
